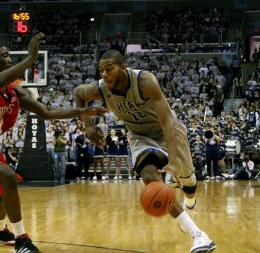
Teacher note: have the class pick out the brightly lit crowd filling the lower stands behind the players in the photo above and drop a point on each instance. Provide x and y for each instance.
(194, 89)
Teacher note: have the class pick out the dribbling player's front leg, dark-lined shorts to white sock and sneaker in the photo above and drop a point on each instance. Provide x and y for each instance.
(148, 157)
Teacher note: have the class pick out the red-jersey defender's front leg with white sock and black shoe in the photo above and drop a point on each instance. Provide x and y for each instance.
(13, 210)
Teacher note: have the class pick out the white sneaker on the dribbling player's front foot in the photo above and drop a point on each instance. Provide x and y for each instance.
(202, 243)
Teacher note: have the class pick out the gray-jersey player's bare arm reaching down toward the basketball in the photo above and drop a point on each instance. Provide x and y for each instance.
(150, 89)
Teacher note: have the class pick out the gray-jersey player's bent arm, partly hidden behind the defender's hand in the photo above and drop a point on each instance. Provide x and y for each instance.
(83, 94)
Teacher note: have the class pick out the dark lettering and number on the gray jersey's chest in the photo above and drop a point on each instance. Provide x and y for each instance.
(129, 107)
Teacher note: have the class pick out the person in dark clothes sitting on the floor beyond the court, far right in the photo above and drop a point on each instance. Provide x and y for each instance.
(244, 168)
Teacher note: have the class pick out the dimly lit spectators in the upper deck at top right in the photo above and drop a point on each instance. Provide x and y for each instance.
(189, 24)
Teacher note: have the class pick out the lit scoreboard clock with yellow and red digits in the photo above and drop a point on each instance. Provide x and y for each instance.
(20, 21)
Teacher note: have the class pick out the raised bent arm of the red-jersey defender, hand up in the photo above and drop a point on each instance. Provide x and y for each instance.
(10, 74)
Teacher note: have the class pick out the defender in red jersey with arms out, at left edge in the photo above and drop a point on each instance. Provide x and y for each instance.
(12, 97)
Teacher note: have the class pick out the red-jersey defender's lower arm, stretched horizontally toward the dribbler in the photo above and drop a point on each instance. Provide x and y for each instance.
(32, 105)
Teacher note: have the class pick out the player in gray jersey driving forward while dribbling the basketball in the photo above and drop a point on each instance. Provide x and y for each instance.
(158, 140)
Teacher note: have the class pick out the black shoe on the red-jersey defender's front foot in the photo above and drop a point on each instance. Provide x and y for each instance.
(23, 244)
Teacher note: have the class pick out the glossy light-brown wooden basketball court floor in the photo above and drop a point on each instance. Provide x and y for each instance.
(105, 217)
